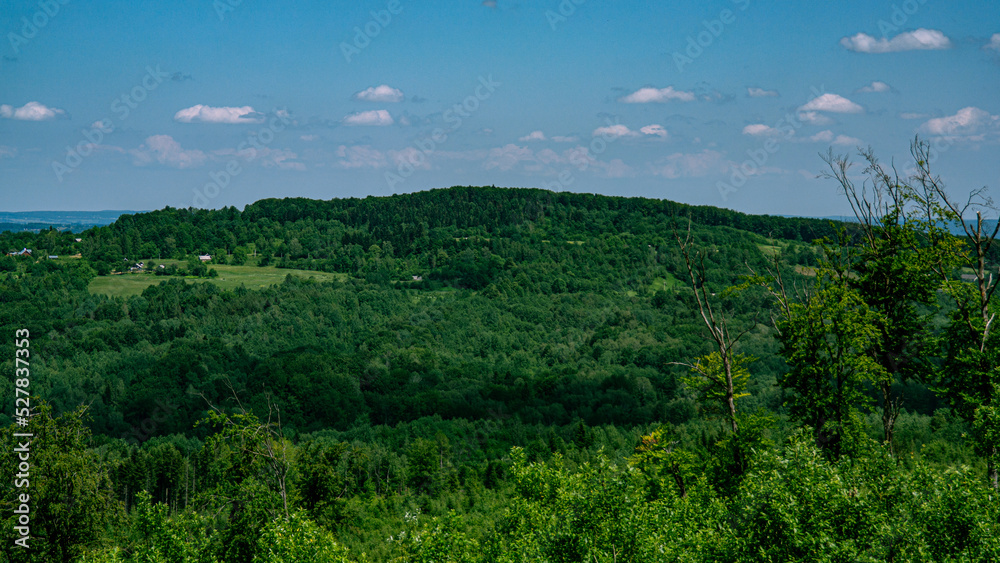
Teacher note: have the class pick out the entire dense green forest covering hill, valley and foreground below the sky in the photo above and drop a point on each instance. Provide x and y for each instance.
(511, 375)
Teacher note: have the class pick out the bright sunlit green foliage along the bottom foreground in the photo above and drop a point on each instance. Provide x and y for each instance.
(794, 504)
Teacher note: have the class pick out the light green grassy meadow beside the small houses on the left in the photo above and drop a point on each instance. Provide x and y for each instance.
(230, 277)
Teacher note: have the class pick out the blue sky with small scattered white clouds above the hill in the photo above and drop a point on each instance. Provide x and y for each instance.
(139, 105)
